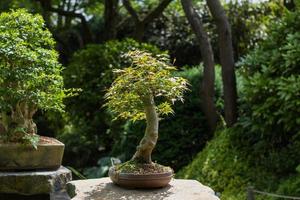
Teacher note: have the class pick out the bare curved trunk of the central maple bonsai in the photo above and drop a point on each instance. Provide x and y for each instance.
(147, 144)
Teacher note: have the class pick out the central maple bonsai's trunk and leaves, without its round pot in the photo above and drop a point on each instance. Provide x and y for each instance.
(133, 93)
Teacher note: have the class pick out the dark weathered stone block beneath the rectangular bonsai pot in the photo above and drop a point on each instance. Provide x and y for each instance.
(37, 182)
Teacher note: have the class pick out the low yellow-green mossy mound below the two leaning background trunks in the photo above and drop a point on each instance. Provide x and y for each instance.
(221, 167)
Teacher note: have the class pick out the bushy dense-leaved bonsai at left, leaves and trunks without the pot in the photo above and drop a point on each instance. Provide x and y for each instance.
(29, 75)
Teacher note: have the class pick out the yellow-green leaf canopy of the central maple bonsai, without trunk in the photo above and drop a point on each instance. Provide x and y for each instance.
(147, 76)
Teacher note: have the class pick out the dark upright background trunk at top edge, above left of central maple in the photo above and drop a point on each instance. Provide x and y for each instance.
(110, 19)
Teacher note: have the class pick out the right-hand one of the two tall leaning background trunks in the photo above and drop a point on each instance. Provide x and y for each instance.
(227, 61)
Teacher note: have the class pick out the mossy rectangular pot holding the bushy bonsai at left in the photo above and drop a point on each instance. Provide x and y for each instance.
(47, 156)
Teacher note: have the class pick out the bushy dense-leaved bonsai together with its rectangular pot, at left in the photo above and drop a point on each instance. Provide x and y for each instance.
(29, 80)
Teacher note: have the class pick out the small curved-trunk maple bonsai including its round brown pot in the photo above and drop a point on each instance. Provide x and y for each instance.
(132, 96)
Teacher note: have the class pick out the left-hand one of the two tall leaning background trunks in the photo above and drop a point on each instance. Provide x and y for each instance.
(207, 88)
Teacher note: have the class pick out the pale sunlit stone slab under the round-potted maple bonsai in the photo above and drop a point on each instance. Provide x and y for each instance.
(104, 189)
